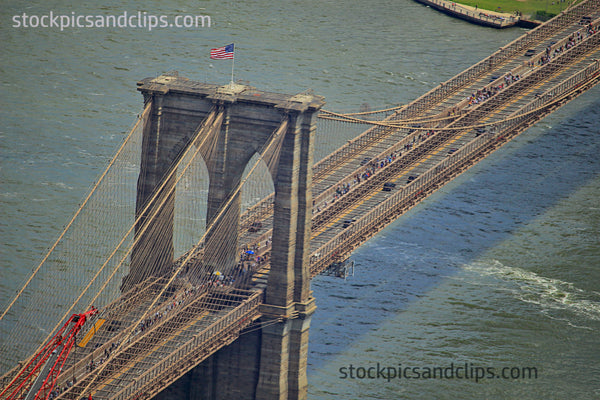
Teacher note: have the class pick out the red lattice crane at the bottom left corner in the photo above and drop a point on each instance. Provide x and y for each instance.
(60, 346)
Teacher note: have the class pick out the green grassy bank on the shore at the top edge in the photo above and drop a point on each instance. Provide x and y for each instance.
(528, 8)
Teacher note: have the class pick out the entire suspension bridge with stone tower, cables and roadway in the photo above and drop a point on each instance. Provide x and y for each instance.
(194, 251)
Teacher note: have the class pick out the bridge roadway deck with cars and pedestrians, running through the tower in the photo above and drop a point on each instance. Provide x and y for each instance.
(185, 326)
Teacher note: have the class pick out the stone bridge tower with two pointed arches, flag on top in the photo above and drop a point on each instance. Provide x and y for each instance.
(270, 363)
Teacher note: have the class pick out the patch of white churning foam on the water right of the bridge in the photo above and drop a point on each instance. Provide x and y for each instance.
(549, 293)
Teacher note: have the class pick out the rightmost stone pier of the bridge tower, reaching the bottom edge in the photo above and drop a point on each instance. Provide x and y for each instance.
(284, 349)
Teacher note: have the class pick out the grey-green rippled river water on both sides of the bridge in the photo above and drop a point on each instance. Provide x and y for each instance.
(497, 273)
